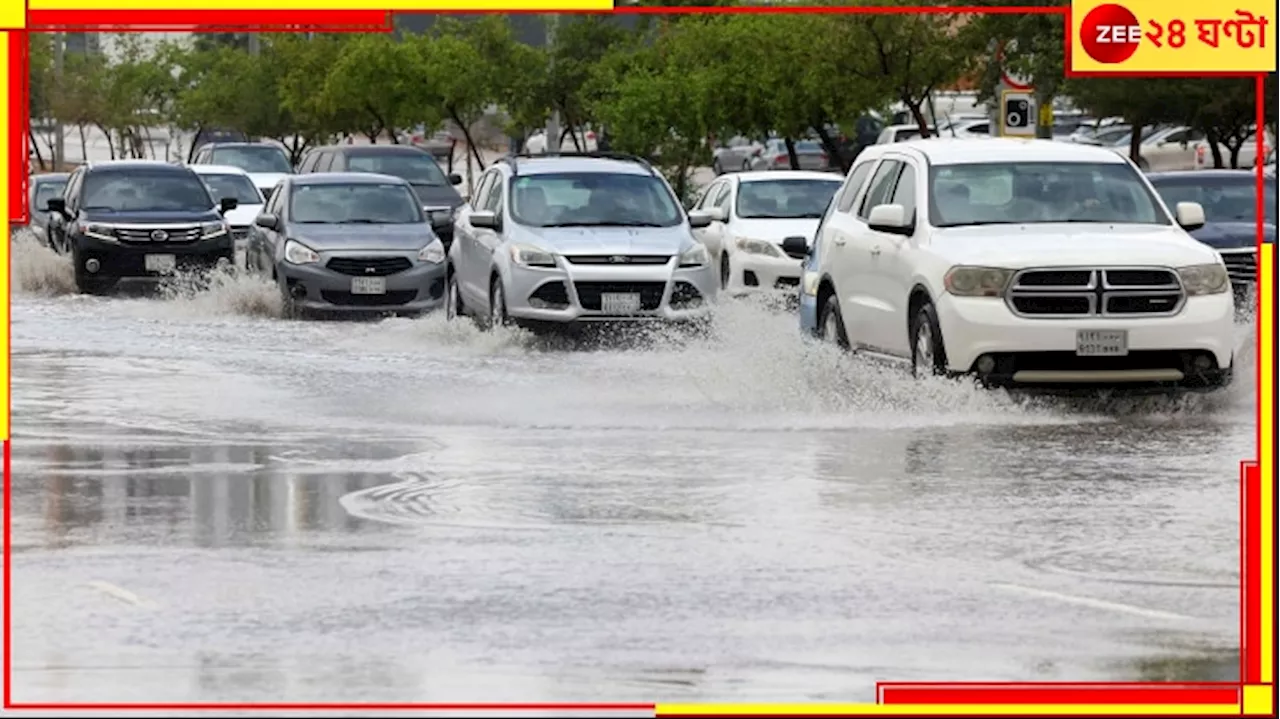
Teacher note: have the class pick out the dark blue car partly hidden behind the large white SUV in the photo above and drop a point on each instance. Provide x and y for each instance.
(1231, 203)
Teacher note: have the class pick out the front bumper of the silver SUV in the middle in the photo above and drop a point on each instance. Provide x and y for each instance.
(575, 292)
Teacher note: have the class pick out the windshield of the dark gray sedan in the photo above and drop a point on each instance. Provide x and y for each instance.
(355, 204)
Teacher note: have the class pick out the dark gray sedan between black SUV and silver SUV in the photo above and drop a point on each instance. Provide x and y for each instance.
(350, 244)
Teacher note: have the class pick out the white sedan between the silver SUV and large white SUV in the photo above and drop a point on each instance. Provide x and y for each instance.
(753, 217)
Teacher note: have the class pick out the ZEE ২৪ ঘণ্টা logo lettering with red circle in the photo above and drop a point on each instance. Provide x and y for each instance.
(1112, 34)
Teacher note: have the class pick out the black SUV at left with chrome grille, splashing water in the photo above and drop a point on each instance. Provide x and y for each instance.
(138, 219)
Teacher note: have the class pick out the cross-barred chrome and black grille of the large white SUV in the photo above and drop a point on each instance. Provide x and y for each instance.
(1075, 292)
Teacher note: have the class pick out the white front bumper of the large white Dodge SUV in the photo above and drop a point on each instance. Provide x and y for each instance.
(1041, 352)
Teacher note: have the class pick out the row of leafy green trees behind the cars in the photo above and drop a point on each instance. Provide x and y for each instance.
(660, 90)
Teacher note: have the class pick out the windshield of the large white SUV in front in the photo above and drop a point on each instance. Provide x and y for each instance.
(1040, 193)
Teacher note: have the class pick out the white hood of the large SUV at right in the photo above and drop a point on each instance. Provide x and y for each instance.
(1069, 245)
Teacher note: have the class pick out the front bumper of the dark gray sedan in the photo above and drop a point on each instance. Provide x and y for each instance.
(319, 287)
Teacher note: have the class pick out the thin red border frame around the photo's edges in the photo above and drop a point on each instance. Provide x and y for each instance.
(888, 693)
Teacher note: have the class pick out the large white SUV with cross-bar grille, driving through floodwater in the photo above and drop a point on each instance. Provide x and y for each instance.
(1023, 263)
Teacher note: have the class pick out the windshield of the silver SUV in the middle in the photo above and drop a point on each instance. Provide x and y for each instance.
(593, 199)
